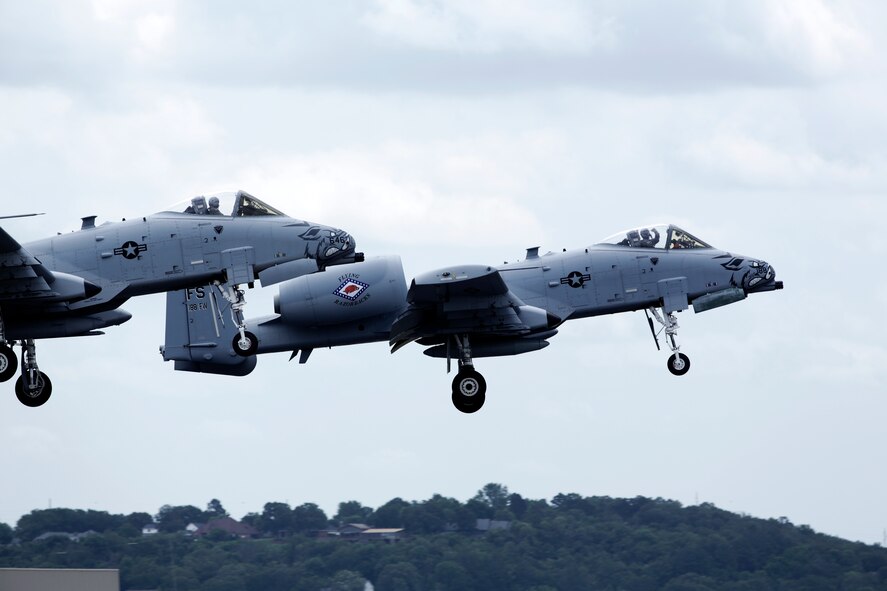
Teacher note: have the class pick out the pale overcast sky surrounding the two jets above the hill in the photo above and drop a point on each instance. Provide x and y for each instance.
(464, 132)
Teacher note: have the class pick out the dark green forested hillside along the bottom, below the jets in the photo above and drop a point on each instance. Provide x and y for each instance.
(568, 543)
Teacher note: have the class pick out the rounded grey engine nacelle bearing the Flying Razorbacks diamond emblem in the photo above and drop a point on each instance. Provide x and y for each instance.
(343, 294)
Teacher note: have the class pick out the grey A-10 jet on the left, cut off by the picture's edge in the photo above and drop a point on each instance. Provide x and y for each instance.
(72, 284)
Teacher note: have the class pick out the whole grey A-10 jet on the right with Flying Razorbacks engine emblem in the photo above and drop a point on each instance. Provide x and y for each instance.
(465, 312)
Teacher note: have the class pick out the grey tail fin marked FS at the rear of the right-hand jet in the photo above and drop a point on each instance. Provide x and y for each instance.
(199, 331)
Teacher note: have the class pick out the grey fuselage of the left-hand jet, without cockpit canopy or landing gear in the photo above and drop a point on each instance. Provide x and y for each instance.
(162, 252)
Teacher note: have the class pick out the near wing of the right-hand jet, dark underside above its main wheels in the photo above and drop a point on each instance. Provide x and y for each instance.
(467, 300)
